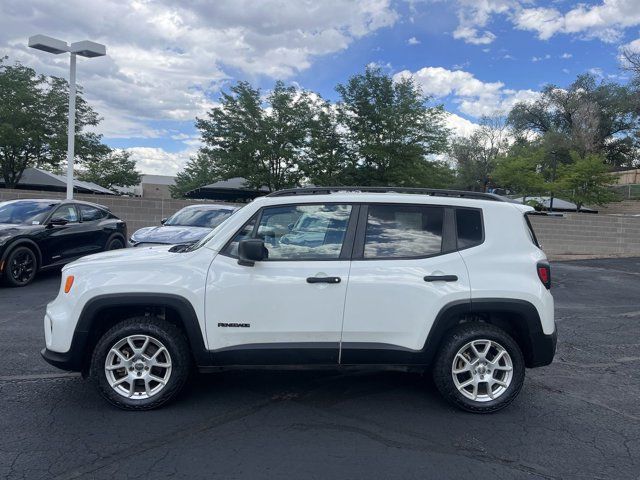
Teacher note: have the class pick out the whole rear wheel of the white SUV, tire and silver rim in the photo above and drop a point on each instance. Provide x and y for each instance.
(479, 368)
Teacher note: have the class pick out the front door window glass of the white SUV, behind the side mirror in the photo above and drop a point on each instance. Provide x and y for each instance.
(299, 232)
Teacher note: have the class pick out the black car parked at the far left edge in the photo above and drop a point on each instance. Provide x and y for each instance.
(38, 234)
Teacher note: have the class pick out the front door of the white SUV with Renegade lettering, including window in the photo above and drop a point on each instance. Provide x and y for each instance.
(287, 309)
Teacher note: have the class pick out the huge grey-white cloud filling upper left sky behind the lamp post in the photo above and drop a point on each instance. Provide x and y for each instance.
(166, 59)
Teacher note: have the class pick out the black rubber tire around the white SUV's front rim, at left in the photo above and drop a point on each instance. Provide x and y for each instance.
(173, 340)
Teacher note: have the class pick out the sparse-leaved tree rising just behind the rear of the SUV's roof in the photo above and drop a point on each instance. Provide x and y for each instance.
(476, 155)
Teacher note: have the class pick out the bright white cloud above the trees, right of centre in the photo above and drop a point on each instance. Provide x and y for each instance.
(474, 97)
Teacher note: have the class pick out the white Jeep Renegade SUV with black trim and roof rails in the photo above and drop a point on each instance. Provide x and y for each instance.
(446, 280)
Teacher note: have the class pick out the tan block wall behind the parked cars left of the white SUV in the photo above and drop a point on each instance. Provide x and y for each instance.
(137, 212)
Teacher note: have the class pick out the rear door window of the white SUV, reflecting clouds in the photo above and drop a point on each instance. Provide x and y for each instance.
(403, 231)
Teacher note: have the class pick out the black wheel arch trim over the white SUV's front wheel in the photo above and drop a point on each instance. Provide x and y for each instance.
(104, 311)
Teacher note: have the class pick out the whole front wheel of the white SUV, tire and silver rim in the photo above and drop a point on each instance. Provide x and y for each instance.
(141, 363)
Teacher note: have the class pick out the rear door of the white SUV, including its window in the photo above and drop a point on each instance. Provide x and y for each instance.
(405, 269)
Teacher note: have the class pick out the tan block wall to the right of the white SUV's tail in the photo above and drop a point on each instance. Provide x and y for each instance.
(588, 234)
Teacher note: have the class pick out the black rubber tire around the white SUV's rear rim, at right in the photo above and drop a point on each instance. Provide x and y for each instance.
(459, 338)
